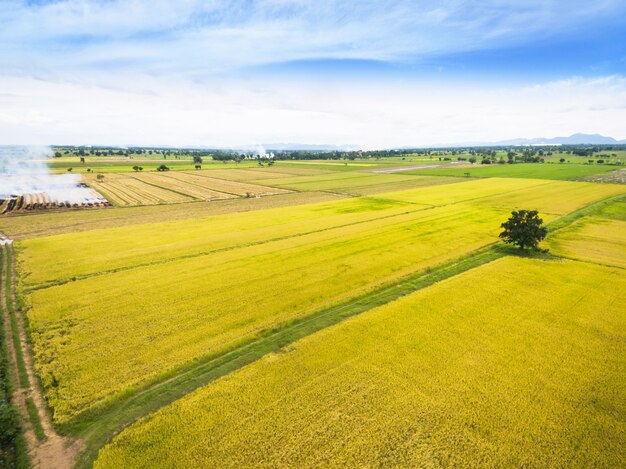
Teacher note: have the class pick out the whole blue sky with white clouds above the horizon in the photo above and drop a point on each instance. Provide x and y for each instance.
(368, 74)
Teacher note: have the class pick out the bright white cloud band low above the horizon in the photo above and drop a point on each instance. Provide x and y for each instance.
(242, 112)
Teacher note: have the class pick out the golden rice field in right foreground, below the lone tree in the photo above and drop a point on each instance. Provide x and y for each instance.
(518, 363)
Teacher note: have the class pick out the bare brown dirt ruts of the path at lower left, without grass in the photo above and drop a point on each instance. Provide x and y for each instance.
(55, 451)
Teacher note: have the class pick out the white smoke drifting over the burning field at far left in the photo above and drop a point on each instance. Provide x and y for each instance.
(24, 170)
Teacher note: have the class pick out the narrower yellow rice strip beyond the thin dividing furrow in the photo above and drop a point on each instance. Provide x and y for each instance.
(53, 258)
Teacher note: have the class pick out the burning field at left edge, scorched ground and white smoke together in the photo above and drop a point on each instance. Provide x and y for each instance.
(26, 184)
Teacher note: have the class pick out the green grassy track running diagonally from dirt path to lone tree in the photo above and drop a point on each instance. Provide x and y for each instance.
(176, 384)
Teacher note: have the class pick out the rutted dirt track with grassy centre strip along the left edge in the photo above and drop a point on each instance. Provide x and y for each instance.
(47, 449)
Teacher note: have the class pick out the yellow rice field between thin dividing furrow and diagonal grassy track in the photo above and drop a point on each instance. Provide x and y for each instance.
(140, 323)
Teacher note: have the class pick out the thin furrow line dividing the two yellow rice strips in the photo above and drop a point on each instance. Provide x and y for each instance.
(224, 249)
